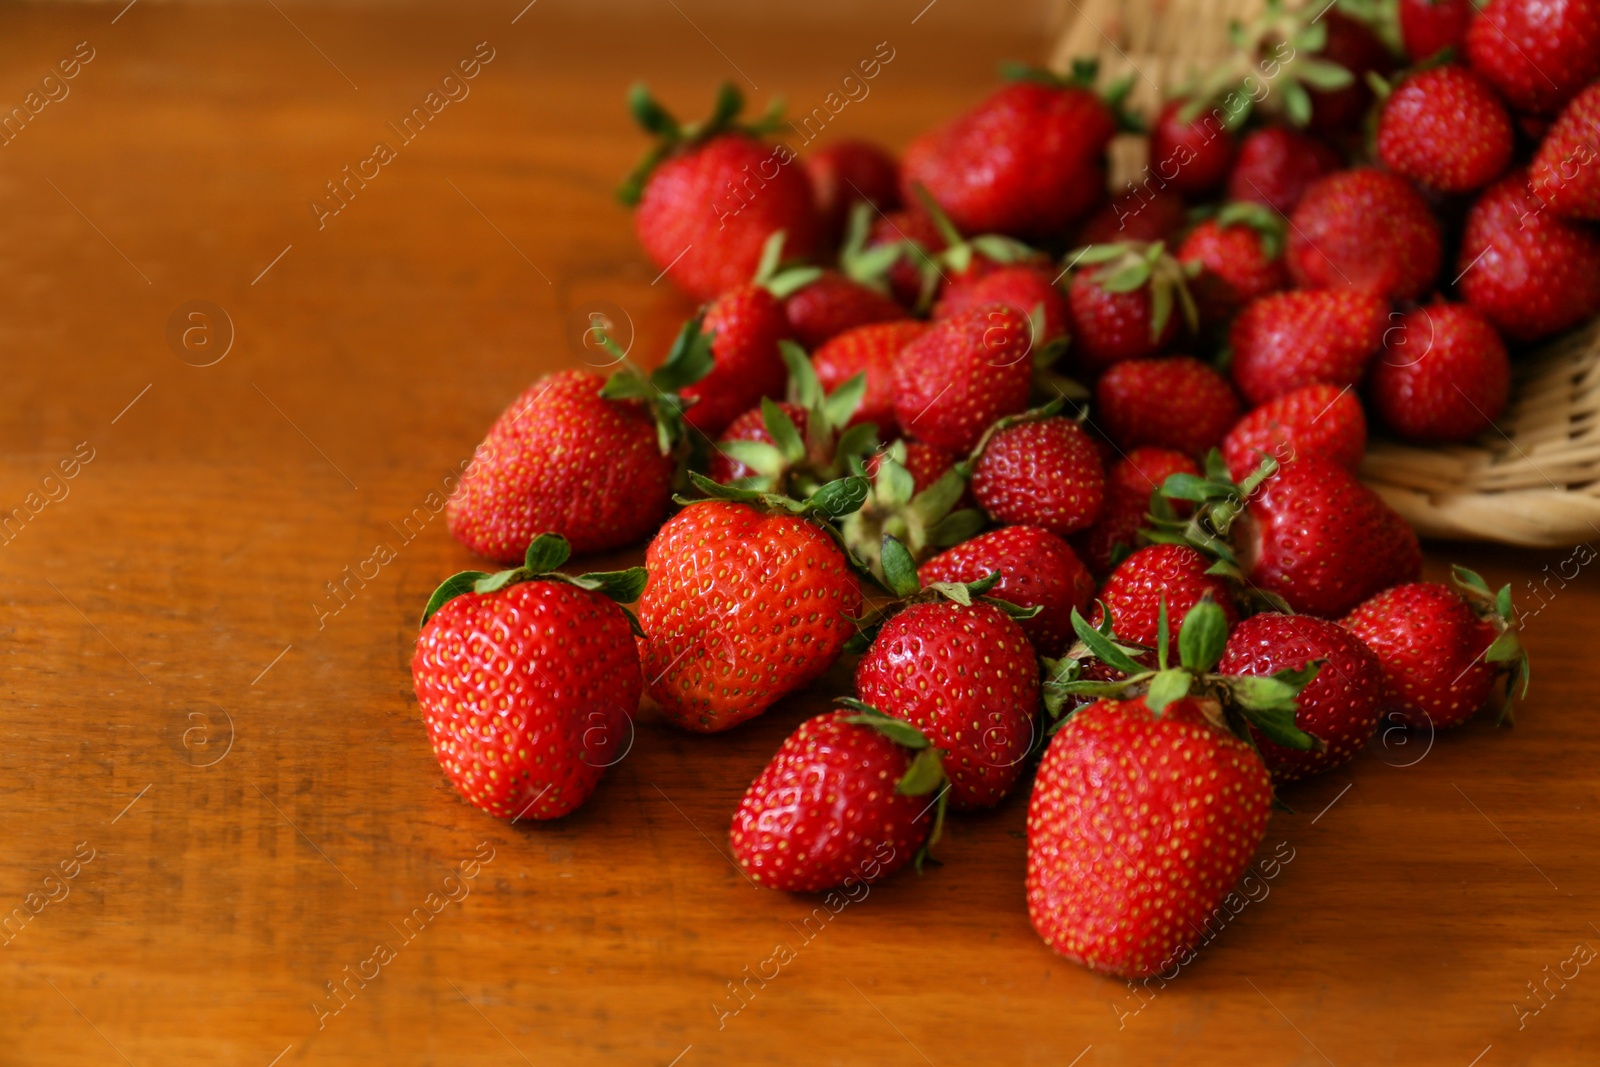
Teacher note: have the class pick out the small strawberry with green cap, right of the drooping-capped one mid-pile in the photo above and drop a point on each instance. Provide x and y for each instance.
(1238, 257)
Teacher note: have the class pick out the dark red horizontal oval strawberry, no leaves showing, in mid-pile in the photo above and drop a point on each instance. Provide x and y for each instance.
(1175, 402)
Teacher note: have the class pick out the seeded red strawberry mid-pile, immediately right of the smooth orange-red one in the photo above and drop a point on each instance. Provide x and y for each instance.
(962, 375)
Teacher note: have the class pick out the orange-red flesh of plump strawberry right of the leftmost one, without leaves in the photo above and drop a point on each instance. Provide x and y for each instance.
(742, 609)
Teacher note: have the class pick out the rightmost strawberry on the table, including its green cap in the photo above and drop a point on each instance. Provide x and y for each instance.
(1442, 653)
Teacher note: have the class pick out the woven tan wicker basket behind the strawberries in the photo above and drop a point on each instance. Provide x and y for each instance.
(1532, 482)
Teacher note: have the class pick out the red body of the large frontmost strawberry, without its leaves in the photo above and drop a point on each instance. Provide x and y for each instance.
(1137, 831)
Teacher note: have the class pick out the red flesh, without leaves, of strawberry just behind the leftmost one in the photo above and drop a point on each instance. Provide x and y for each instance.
(564, 460)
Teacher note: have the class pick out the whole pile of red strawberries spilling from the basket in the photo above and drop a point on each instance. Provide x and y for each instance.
(1071, 478)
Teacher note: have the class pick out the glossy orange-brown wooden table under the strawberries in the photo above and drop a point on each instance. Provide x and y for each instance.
(234, 775)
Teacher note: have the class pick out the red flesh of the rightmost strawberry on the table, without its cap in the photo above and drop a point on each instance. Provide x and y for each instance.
(1431, 645)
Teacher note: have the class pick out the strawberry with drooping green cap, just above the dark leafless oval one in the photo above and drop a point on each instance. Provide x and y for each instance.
(1121, 303)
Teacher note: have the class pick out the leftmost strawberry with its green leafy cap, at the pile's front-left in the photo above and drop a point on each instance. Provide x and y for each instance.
(529, 682)
